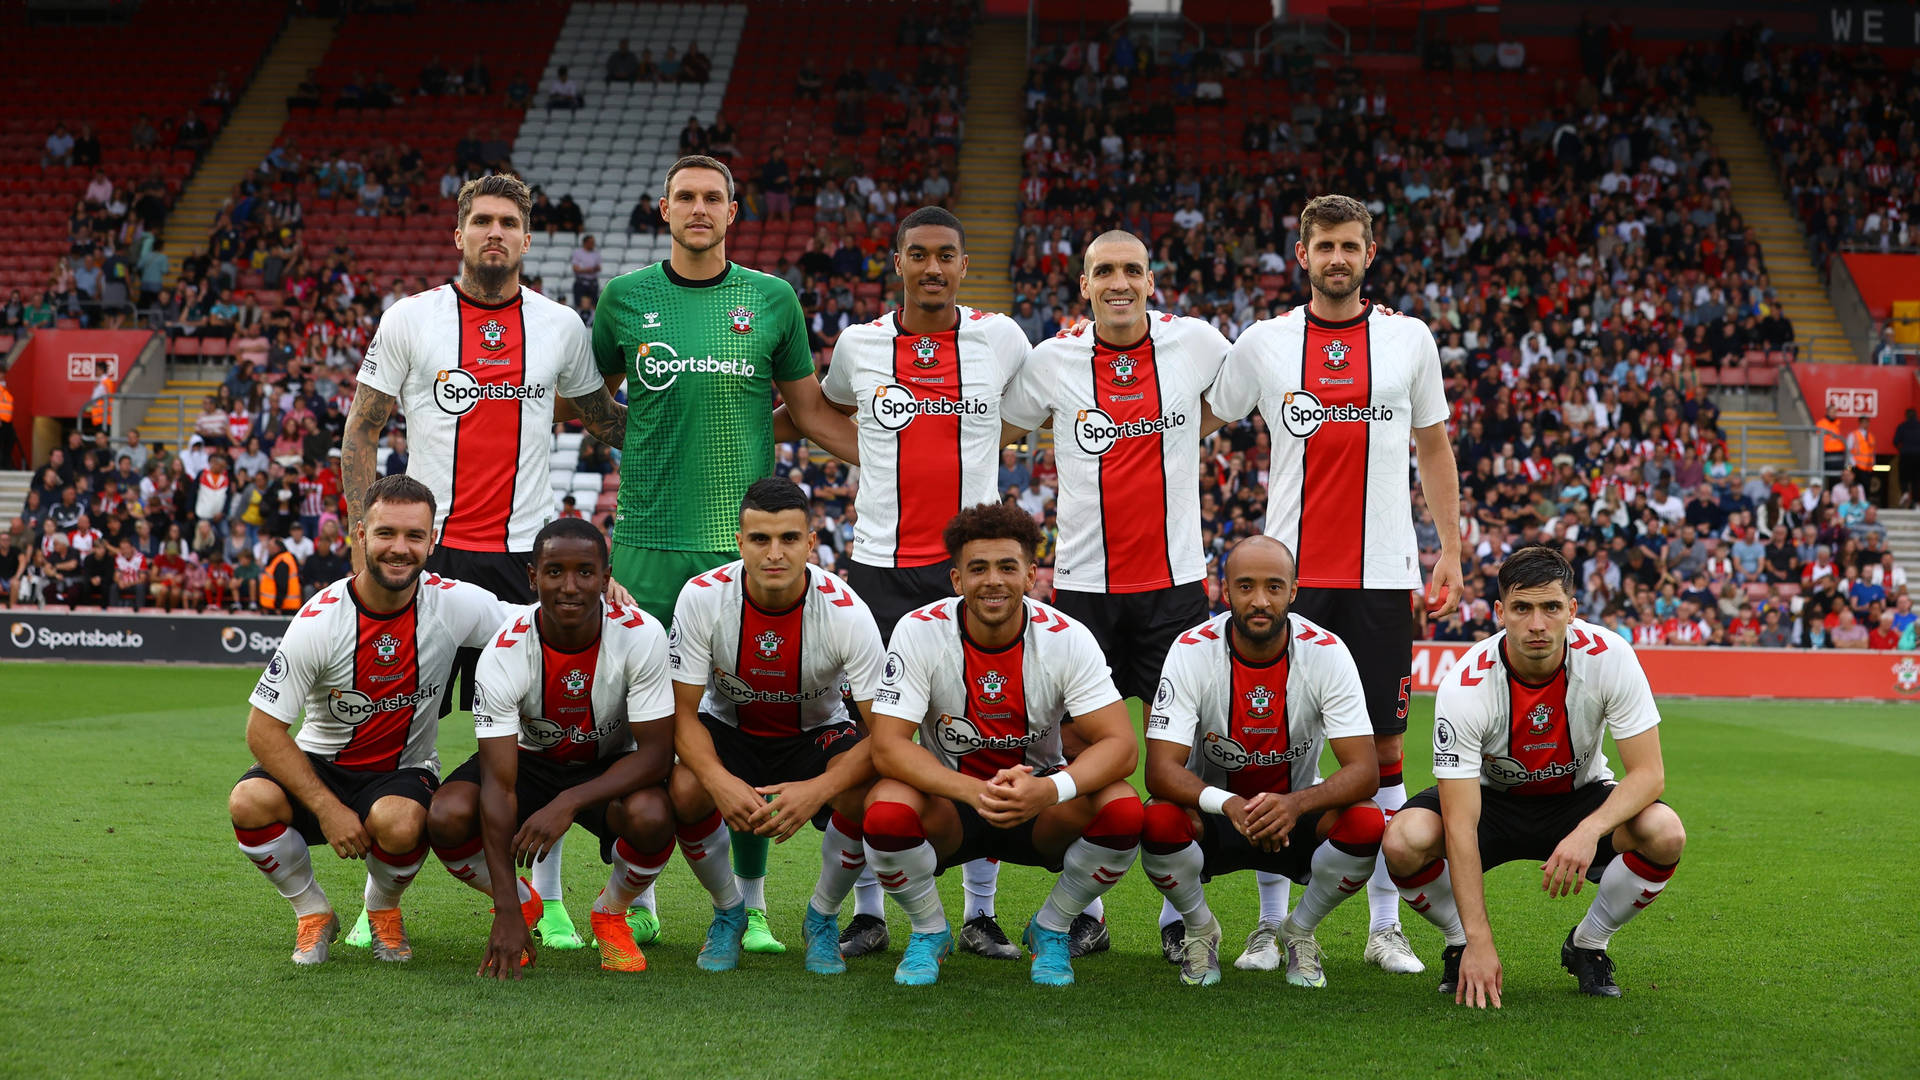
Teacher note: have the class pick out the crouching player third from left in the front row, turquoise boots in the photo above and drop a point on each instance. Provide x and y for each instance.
(761, 650)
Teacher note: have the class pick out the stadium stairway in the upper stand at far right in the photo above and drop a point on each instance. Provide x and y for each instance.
(1764, 207)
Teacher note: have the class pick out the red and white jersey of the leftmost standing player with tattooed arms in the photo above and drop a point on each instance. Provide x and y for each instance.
(477, 385)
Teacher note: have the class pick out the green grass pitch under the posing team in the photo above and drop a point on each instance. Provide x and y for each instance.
(135, 939)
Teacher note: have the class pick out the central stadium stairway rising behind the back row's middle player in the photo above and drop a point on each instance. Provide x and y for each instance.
(990, 162)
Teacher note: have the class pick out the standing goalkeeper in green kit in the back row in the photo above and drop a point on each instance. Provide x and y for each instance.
(704, 345)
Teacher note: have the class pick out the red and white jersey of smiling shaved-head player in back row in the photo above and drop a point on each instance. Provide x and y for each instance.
(1128, 443)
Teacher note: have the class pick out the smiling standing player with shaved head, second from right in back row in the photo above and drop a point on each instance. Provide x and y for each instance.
(1128, 416)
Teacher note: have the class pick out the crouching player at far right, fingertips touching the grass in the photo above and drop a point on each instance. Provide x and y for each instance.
(1522, 775)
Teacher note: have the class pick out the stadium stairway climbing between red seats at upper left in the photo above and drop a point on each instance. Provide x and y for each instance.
(251, 132)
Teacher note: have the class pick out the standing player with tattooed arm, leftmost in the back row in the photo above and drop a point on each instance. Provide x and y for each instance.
(477, 368)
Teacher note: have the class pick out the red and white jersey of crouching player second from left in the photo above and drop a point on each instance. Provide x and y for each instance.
(573, 708)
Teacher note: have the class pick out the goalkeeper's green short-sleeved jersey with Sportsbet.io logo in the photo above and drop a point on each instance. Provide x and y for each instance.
(700, 360)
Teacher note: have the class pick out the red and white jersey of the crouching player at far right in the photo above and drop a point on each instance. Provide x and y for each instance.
(1541, 741)
